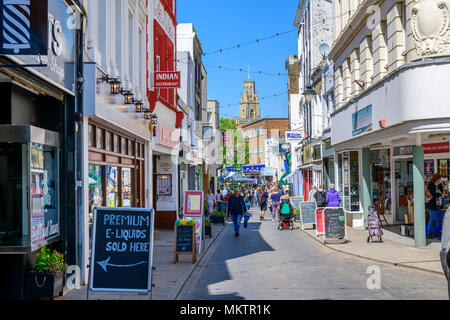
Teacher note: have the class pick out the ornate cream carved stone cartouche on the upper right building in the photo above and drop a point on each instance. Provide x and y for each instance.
(430, 25)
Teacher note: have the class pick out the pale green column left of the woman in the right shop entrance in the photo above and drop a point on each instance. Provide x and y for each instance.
(419, 196)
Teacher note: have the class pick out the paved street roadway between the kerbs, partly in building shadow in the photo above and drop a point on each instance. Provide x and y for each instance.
(265, 263)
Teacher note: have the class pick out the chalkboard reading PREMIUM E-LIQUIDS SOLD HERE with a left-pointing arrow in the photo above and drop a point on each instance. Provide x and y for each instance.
(122, 250)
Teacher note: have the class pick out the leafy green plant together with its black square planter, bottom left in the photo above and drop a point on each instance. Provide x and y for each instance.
(47, 277)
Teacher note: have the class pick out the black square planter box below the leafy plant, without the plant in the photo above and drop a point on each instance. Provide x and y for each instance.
(44, 285)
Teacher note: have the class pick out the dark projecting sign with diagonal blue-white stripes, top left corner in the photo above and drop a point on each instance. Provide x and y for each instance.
(25, 27)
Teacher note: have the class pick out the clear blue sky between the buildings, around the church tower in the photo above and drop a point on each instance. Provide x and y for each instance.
(221, 24)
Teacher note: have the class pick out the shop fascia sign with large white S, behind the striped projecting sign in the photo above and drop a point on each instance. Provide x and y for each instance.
(60, 55)
